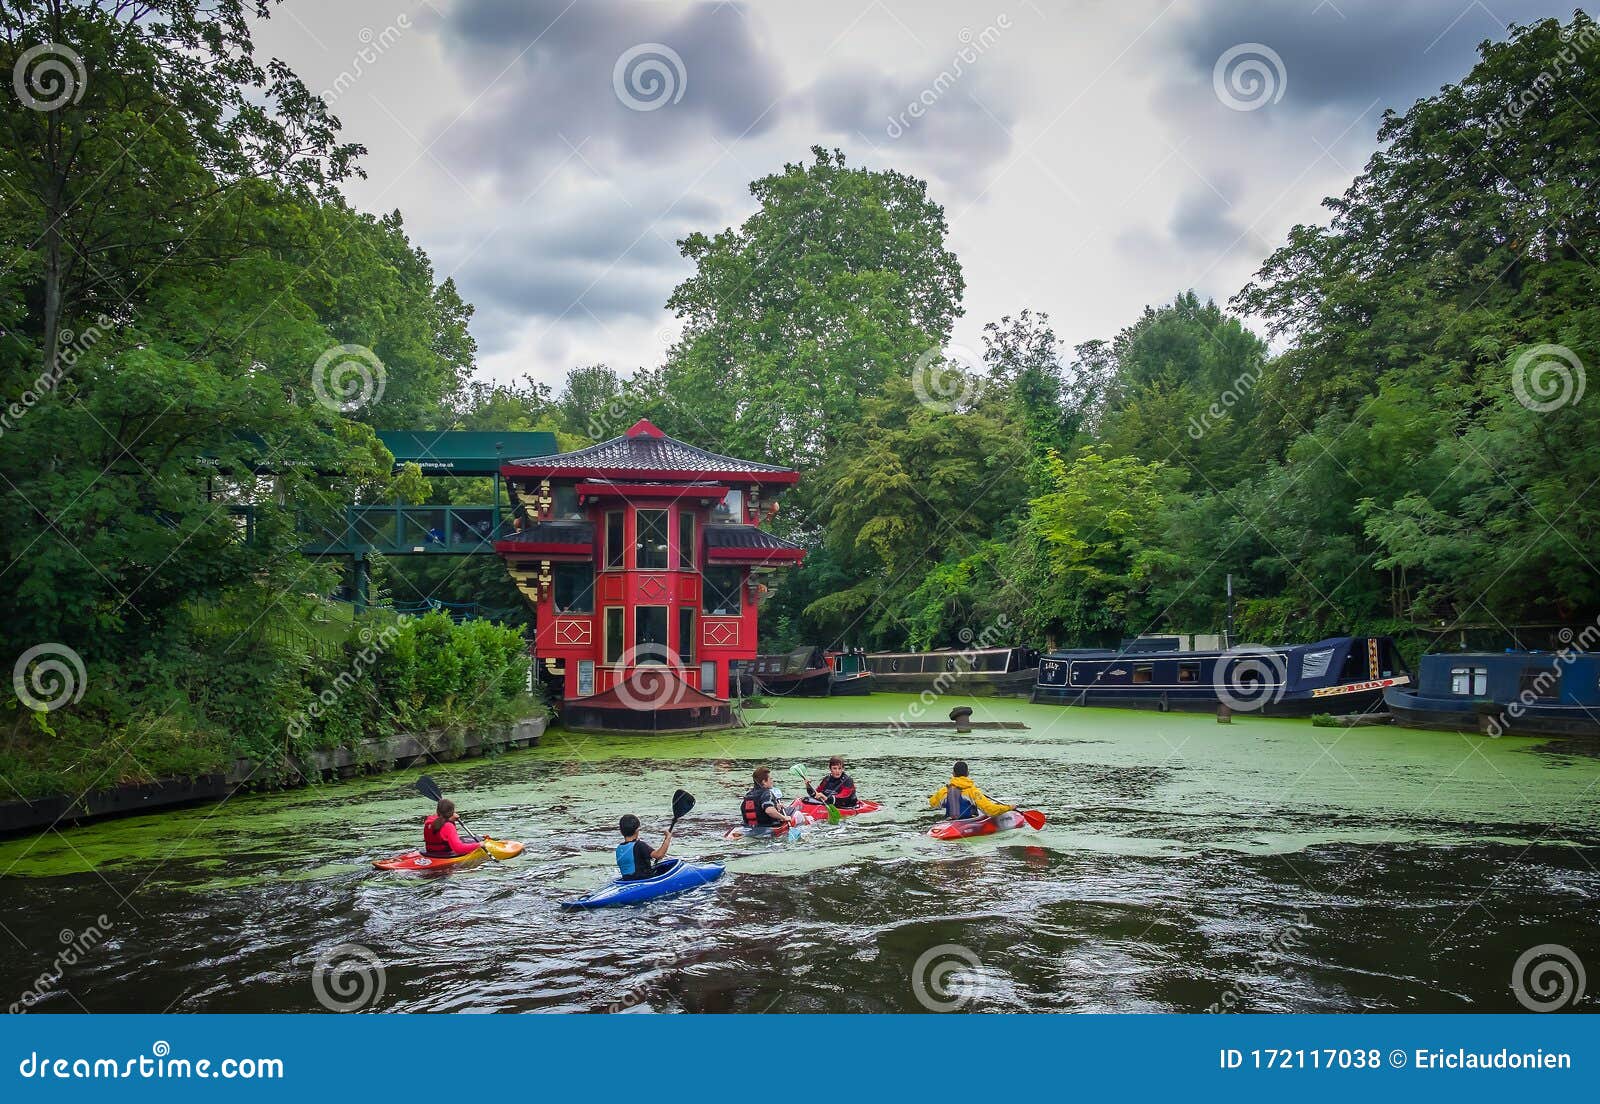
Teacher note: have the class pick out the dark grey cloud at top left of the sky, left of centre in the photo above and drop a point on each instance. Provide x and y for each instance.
(546, 70)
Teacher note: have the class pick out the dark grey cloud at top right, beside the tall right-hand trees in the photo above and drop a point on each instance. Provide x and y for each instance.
(1346, 54)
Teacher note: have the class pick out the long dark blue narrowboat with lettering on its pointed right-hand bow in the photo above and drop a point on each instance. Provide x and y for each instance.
(1335, 676)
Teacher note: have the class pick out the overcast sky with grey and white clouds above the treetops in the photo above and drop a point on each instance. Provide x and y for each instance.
(1092, 158)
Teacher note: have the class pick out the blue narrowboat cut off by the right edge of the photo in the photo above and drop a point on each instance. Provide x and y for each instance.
(1554, 694)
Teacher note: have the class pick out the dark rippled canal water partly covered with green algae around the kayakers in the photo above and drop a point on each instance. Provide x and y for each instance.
(1188, 866)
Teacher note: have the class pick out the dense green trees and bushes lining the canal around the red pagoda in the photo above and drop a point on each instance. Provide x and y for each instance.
(183, 263)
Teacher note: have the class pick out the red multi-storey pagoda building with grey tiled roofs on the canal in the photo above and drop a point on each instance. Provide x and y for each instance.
(646, 564)
